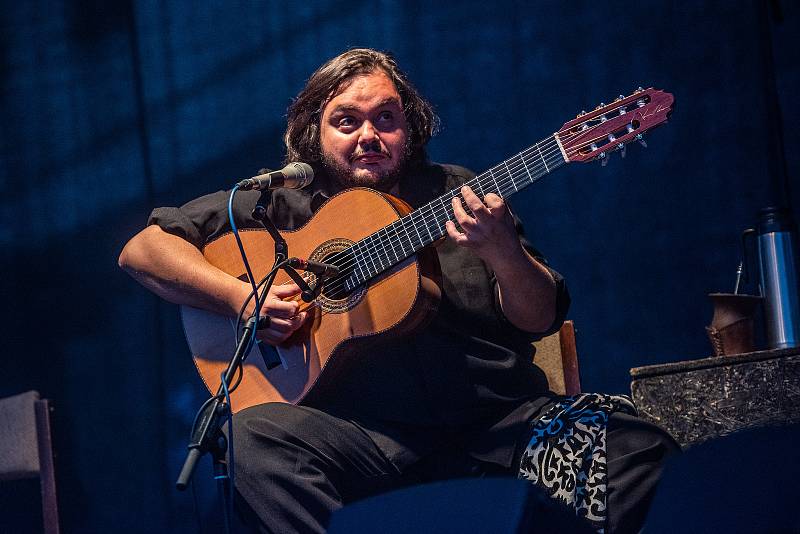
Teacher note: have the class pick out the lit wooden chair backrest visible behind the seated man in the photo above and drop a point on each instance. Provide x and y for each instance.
(557, 356)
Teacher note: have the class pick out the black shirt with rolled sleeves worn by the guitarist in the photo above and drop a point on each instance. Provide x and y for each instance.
(465, 377)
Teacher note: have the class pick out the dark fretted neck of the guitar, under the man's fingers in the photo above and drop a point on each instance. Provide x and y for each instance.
(392, 244)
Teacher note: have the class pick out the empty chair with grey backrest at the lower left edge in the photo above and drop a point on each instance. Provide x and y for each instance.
(26, 449)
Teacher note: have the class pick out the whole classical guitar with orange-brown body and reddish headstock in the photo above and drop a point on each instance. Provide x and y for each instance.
(388, 281)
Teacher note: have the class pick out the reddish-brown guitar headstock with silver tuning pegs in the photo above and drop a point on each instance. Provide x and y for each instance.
(595, 135)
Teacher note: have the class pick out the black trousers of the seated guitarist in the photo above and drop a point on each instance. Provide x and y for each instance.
(295, 465)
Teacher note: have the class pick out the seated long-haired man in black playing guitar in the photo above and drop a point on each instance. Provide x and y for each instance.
(456, 398)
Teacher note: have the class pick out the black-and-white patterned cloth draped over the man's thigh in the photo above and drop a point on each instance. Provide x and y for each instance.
(566, 454)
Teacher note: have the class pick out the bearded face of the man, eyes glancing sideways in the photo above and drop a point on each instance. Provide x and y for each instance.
(363, 133)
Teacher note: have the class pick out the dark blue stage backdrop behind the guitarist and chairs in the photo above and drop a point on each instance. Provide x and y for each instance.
(111, 109)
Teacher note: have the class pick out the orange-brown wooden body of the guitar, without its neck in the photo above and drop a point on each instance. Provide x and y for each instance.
(390, 305)
